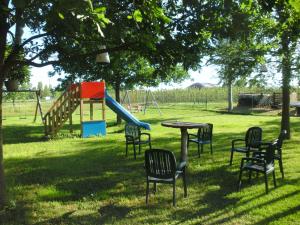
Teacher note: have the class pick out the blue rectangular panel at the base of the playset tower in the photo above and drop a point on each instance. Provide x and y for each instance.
(93, 128)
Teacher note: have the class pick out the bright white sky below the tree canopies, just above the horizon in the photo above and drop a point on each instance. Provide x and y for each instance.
(206, 75)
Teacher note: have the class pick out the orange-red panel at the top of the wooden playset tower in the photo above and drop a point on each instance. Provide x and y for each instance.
(92, 89)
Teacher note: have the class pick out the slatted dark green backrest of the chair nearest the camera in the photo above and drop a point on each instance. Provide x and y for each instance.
(160, 163)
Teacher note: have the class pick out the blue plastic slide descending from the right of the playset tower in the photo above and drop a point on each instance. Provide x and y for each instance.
(123, 113)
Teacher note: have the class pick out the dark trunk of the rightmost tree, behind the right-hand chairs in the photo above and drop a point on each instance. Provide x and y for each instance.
(286, 79)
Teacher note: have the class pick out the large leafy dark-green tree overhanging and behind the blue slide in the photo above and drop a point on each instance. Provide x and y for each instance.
(176, 44)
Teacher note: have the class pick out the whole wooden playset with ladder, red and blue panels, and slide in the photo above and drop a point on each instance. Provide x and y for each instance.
(77, 95)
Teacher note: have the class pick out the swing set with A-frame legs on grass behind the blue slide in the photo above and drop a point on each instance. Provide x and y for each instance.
(149, 99)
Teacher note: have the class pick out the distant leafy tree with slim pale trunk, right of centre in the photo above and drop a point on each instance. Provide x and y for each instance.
(238, 45)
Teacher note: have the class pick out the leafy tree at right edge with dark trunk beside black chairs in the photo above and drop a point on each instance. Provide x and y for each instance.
(286, 32)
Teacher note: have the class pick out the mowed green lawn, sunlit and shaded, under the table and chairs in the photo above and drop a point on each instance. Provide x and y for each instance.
(70, 180)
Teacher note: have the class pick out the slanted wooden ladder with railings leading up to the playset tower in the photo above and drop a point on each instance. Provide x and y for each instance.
(62, 110)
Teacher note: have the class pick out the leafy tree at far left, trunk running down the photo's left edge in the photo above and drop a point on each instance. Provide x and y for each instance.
(63, 31)
